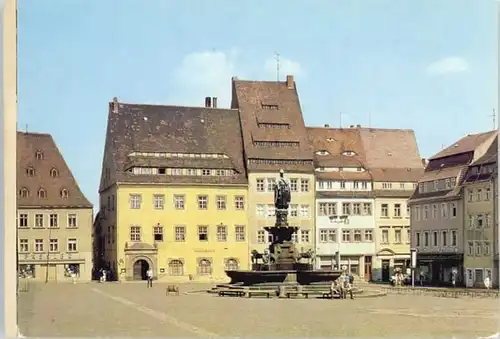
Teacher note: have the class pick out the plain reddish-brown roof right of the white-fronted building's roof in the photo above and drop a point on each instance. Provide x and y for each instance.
(390, 148)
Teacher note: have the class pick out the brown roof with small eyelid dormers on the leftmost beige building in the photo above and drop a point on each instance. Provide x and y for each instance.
(43, 177)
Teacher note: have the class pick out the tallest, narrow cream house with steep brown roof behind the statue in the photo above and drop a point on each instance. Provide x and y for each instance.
(274, 138)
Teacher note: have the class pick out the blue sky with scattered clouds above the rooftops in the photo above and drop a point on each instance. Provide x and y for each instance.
(429, 65)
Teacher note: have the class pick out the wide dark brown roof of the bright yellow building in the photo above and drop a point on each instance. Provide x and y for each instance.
(175, 129)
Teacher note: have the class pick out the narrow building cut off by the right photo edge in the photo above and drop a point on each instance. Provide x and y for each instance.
(479, 219)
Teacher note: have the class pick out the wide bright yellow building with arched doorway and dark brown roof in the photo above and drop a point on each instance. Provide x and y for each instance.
(173, 193)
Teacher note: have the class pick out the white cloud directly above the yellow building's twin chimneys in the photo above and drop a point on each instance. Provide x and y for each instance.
(203, 74)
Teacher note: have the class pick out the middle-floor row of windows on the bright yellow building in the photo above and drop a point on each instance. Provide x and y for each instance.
(179, 233)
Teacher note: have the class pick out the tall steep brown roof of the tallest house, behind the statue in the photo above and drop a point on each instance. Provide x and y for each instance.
(272, 124)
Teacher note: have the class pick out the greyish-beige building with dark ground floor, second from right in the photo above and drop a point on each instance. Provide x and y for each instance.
(437, 218)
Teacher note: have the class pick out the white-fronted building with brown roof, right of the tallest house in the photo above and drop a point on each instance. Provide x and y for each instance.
(345, 221)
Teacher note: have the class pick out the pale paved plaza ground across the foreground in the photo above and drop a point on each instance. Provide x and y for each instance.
(132, 310)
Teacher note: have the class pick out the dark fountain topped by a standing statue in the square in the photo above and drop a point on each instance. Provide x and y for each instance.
(281, 261)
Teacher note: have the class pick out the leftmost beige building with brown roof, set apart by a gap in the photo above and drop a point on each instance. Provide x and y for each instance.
(54, 217)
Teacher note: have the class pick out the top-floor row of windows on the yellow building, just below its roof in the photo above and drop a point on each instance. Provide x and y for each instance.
(179, 202)
